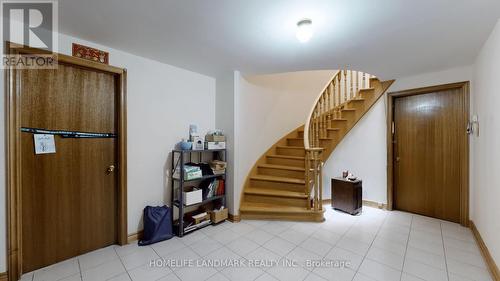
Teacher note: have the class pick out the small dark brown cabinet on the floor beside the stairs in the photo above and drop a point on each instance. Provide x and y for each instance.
(347, 196)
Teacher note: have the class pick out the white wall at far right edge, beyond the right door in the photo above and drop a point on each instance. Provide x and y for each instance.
(486, 158)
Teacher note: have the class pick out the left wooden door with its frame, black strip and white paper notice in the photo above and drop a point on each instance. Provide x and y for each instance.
(70, 201)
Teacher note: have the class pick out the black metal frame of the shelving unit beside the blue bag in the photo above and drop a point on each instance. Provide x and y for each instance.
(179, 159)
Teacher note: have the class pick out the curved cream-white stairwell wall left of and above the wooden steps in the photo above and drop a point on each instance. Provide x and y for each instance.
(268, 107)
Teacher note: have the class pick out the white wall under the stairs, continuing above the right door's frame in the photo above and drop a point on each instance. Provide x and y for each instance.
(364, 150)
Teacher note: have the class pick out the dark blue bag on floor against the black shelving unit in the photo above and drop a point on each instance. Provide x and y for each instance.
(157, 225)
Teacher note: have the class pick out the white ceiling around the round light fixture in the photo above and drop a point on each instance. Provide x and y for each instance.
(389, 38)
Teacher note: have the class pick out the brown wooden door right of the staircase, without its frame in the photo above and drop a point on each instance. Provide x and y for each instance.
(429, 152)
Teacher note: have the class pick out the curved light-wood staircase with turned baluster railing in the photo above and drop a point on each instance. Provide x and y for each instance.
(275, 188)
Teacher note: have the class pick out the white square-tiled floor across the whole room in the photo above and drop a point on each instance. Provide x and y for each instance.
(375, 246)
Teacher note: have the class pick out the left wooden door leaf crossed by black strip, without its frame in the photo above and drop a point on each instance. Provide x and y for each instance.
(69, 198)
